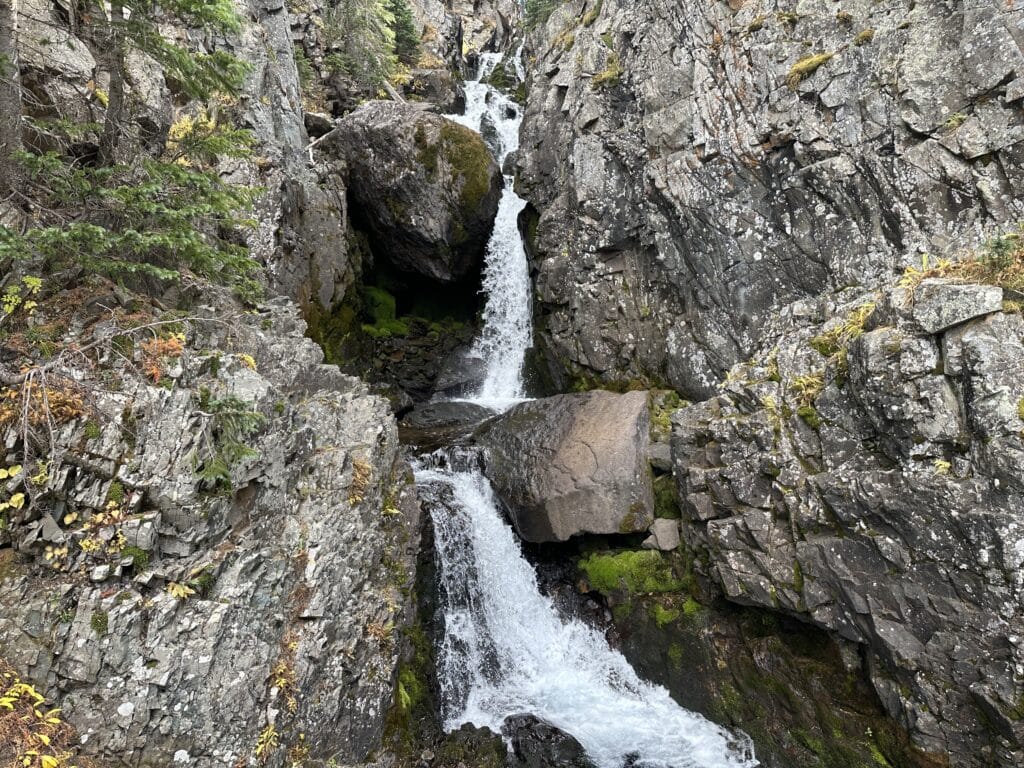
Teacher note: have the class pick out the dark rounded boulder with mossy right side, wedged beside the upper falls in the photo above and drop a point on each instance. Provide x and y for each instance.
(426, 189)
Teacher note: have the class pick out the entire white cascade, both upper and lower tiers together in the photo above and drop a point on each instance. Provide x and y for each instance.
(505, 650)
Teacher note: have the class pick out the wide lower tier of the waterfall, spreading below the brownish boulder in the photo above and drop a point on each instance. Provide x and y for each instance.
(506, 651)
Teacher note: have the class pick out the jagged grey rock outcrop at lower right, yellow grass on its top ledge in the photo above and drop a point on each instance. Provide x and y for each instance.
(862, 475)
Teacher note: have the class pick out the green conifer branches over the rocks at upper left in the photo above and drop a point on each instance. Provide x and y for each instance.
(155, 218)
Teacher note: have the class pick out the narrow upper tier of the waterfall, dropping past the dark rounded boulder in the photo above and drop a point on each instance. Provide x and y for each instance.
(507, 331)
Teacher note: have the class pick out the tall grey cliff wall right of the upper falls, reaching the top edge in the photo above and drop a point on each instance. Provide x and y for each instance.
(696, 167)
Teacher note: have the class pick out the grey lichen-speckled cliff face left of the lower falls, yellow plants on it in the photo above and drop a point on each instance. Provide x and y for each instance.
(212, 566)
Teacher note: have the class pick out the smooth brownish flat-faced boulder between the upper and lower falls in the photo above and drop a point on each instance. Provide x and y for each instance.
(573, 464)
